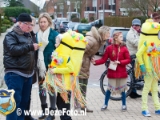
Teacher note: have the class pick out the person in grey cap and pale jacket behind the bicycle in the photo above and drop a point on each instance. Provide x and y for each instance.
(132, 40)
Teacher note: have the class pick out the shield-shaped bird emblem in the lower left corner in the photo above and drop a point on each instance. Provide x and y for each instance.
(7, 102)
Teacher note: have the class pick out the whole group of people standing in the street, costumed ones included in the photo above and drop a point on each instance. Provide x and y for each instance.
(27, 58)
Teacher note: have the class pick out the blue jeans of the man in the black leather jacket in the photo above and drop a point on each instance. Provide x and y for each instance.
(22, 87)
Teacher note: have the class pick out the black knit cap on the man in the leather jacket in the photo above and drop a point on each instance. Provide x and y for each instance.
(24, 17)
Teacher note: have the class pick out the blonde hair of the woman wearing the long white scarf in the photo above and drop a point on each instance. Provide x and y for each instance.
(47, 16)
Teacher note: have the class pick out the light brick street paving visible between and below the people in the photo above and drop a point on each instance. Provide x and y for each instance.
(95, 100)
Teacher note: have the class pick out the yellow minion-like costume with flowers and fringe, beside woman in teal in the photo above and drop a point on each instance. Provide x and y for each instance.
(66, 62)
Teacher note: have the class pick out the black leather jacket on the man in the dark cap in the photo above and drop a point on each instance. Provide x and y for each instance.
(18, 51)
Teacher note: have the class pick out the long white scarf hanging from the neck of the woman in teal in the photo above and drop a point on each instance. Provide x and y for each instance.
(43, 39)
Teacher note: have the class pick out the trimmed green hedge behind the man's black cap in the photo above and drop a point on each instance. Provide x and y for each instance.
(15, 11)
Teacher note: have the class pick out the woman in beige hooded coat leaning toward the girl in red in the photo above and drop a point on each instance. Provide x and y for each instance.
(95, 39)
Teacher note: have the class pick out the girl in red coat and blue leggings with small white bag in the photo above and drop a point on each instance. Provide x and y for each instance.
(117, 78)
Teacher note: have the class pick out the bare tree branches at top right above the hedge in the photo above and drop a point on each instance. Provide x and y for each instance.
(144, 6)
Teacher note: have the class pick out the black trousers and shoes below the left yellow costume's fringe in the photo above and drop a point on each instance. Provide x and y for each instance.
(61, 105)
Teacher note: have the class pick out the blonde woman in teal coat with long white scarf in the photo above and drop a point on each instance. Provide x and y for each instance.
(46, 37)
